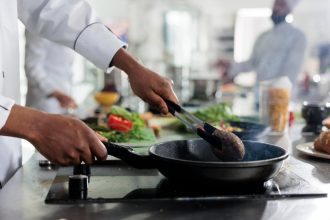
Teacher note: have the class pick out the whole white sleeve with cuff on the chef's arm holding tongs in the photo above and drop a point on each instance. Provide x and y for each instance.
(72, 23)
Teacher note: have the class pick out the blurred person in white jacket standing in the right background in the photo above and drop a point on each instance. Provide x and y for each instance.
(277, 52)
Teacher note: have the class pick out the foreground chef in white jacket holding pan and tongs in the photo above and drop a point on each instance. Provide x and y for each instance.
(63, 140)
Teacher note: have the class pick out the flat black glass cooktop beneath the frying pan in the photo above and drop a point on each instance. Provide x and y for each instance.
(117, 182)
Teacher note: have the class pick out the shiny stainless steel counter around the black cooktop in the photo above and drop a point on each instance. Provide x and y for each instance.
(23, 196)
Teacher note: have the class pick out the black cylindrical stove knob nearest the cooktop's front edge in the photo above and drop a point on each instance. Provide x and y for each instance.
(78, 186)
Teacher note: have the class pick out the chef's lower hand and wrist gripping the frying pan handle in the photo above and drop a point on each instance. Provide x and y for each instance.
(61, 139)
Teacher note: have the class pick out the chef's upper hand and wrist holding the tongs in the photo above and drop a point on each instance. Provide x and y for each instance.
(146, 84)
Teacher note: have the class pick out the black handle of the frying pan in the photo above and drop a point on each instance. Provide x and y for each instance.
(128, 155)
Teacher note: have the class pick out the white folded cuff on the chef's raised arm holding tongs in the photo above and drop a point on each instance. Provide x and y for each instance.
(104, 45)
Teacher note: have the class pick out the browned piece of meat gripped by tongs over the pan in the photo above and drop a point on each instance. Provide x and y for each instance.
(232, 146)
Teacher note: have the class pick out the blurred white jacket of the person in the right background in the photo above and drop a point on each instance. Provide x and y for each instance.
(277, 52)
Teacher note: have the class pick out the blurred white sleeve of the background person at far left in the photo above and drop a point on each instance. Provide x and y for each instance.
(35, 54)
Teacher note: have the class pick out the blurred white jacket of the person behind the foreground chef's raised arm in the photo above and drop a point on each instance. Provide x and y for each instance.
(48, 67)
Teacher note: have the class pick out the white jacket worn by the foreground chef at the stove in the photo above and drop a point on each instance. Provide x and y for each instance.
(69, 22)
